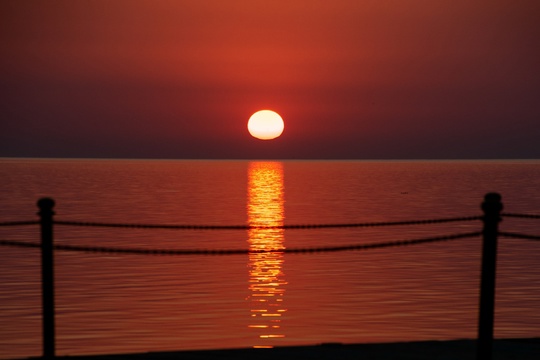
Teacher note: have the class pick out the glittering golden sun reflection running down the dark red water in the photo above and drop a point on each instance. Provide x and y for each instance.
(266, 278)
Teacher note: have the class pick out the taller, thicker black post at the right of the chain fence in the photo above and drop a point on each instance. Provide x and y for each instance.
(492, 208)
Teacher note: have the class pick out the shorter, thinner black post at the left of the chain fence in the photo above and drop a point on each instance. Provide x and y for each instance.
(47, 276)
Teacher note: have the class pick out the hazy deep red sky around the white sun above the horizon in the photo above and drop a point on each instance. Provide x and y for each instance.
(351, 78)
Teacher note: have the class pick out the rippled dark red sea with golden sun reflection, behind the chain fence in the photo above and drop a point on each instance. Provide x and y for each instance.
(108, 303)
